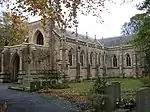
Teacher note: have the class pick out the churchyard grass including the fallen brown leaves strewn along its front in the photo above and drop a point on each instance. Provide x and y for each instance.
(78, 92)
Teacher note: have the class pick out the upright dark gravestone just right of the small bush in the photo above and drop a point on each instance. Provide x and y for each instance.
(114, 94)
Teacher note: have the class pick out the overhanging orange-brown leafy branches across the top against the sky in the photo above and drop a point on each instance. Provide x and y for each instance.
(62, 12)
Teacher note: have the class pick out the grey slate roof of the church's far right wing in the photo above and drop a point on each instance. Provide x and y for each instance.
(115, 41)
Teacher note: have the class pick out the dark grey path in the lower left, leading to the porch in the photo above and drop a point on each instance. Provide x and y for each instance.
(30, 102)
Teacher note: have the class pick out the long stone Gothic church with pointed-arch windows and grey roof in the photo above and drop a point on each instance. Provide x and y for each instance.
(70, 54)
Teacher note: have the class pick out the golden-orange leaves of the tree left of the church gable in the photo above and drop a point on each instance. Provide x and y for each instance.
(17, 25)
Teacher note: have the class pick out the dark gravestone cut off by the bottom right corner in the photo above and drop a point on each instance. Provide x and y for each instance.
(143, 100)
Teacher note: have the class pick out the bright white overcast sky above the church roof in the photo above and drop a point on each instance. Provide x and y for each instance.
(119, 14)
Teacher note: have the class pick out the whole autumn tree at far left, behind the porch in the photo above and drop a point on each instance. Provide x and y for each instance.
(13, 29)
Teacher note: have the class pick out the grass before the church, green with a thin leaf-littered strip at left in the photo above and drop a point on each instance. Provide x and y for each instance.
(81, 89)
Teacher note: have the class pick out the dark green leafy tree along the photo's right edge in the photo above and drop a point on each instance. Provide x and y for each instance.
(142, 38)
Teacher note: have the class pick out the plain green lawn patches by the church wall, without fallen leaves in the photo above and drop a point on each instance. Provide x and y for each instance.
(126, 83)
